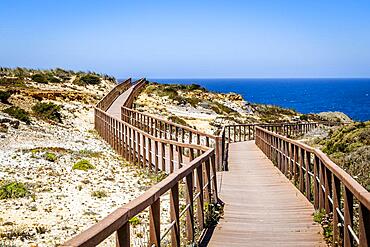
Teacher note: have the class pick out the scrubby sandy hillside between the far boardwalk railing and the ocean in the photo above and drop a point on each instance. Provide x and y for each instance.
(194, 106)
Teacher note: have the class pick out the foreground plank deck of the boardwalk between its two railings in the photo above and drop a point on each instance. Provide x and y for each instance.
(262, 207)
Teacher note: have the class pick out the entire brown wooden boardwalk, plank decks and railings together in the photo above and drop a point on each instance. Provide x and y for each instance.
(262, 208)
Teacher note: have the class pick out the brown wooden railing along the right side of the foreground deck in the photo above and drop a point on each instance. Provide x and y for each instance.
(324, 183)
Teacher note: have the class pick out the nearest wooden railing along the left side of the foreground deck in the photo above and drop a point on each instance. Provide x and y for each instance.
(118, 221)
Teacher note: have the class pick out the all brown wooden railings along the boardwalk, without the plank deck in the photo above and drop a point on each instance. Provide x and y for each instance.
(133, 138)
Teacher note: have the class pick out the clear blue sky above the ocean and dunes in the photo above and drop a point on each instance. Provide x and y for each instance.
(189, 39)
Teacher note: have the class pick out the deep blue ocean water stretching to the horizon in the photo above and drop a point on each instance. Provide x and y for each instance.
(351, 96)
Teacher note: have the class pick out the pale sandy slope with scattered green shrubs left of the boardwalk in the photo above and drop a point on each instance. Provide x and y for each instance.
(57, 177)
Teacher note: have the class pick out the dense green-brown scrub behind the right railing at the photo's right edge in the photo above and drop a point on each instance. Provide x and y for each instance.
(349, 147)
